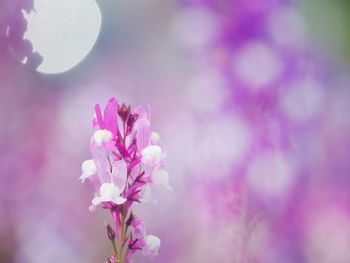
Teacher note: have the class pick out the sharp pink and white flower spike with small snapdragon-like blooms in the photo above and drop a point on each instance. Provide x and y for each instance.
(126, 158)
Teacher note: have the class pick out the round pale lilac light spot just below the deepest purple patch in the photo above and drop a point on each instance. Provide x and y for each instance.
(257, 65)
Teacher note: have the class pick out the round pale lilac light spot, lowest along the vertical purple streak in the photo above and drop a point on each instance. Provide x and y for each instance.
(271, 174)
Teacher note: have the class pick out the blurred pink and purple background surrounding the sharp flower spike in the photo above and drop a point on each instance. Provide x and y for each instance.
(250, 98)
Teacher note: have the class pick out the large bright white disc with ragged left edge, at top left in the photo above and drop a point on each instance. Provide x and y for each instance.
(63, 32)
